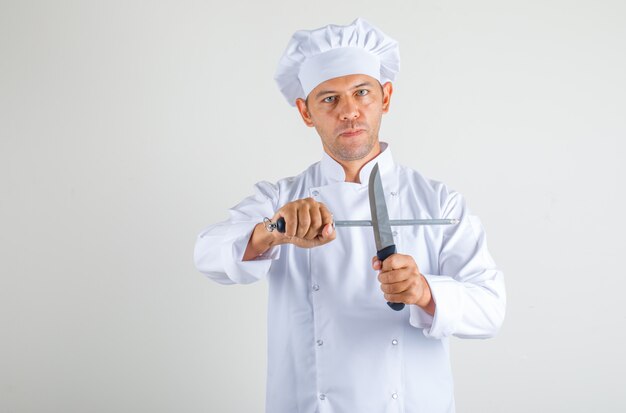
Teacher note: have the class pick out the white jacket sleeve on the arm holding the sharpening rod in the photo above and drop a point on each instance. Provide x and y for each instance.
(219, 248)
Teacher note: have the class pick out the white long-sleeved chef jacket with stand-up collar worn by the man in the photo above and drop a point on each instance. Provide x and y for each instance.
(333, 343)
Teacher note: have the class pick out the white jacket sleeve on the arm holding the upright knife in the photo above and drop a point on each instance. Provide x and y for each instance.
(469, 291)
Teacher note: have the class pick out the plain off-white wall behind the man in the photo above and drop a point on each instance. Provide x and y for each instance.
(126, 127)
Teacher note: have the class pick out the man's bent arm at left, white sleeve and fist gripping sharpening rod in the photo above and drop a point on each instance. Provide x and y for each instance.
(240, 250)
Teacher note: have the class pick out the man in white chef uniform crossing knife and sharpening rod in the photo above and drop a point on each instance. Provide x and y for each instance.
(333, 343)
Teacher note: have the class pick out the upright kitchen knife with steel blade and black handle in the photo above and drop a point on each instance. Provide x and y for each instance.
(385, 245)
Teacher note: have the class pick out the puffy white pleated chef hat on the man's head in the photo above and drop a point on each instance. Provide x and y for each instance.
(314, 56)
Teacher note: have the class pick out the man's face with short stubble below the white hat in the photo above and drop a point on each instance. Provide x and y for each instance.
(346, 112)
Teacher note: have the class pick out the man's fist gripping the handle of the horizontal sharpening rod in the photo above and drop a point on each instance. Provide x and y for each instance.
(308, 224)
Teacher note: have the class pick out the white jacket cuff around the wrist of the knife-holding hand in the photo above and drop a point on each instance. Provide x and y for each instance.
(448, 296)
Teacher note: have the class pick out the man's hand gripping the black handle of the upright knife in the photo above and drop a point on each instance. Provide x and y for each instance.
(402, 282)
